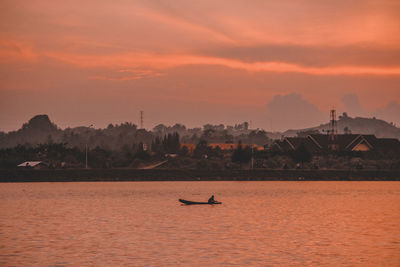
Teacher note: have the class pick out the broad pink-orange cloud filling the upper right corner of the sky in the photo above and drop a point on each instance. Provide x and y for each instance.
(310, 23)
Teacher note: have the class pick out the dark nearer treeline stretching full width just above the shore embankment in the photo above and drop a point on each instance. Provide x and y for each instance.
(178, 156)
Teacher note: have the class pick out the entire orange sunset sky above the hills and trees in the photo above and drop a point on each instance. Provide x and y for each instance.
(280, 64)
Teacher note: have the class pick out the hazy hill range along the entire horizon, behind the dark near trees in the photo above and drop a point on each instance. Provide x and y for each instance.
(40, 130)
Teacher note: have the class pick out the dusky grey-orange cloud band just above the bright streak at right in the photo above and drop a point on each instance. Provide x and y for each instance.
(316, 56)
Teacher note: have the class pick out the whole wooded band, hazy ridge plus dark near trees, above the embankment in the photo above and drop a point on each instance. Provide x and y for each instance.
(213, 147)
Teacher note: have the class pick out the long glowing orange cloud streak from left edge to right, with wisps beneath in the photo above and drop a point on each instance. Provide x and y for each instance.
(153, 63)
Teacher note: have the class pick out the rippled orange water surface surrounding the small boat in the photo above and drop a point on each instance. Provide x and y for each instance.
(142, 224)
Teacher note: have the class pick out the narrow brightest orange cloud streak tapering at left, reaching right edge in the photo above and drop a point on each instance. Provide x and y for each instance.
(158, 61)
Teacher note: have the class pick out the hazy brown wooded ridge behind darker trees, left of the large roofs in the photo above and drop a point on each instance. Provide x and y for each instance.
(40, 130)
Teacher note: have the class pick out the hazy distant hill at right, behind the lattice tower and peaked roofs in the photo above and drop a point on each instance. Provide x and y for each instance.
(358, 125)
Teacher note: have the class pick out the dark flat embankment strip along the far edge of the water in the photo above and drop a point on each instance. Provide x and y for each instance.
(93, 175)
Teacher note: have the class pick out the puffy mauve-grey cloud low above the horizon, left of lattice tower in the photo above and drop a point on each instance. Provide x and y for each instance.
(293, 112)
